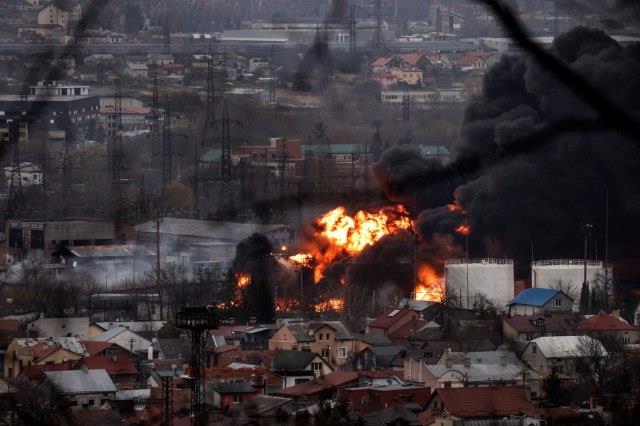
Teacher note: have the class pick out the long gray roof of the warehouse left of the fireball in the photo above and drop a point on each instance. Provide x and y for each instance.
(226, 231)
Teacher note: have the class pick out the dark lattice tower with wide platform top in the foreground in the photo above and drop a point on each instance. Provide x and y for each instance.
(197, 321)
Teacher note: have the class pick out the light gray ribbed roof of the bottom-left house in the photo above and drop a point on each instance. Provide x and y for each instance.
(81, 381)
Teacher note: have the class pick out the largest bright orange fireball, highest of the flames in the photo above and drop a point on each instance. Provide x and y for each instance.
(339, 234)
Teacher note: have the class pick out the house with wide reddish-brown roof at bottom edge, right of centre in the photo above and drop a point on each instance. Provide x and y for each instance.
(491, 405)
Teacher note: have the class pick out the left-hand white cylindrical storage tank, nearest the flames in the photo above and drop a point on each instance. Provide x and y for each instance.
(491, 277)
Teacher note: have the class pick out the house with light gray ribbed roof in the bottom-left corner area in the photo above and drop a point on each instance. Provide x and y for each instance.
(83, 388)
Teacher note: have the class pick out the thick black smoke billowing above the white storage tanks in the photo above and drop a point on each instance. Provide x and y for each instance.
(539, 197)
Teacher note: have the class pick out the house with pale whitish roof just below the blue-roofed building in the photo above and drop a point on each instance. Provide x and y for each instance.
(559, 352)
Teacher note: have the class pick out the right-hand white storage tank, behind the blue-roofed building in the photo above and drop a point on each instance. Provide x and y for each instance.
(565, 274)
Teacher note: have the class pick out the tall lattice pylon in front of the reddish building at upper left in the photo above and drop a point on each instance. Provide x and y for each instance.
(115, 151)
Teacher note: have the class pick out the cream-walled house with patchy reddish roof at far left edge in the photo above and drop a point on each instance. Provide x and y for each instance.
(23, 352)
